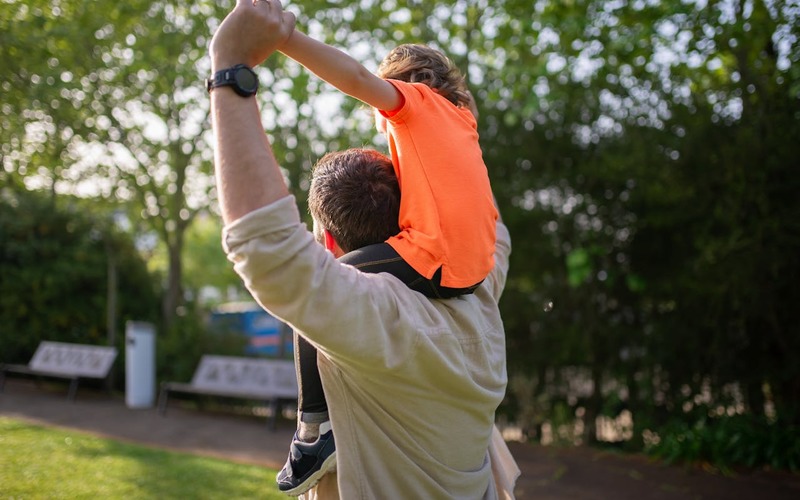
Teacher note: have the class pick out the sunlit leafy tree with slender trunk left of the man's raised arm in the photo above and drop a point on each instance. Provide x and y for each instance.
(107, 99)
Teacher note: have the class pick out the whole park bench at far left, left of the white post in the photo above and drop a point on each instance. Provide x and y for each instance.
(65, 360)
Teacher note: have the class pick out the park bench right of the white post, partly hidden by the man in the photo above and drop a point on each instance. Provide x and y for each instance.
(271, 380)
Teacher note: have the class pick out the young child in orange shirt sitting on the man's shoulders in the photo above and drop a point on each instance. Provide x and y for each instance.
(447, 215)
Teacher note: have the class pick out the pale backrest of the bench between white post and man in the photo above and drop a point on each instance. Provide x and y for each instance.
(248, 377)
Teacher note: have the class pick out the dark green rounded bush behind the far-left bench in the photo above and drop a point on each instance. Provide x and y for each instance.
(54, 268)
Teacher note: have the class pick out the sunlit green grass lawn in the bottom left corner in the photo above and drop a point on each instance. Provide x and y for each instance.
(42, 462)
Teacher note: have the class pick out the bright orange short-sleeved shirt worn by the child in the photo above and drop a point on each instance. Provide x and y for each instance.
(447, 212)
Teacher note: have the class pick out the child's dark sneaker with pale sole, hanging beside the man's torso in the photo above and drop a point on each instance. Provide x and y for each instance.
(307, 463)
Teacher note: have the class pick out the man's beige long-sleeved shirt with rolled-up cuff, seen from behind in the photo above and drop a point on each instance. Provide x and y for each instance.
(412, 384)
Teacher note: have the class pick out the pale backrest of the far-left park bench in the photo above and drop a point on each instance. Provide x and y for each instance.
(73, 359)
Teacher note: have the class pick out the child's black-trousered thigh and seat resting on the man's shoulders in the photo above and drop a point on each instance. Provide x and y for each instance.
(382, 258)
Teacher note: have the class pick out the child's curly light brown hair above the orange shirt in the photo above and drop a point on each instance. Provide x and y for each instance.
(419, 63)
